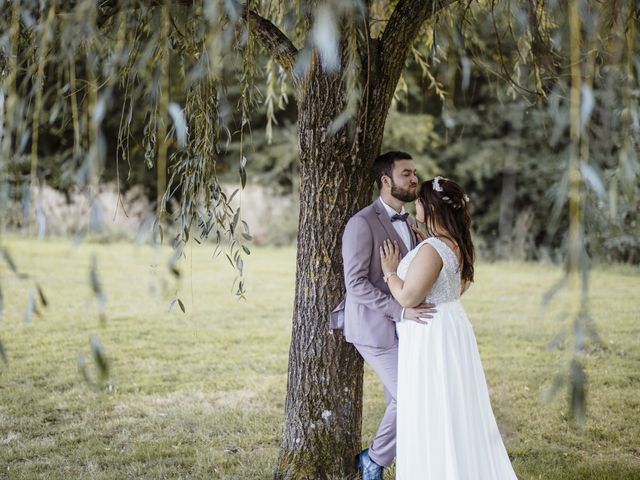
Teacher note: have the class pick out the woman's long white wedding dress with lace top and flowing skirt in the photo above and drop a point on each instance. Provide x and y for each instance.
(445, 426)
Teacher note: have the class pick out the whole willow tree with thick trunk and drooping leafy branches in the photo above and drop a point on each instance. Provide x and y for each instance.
(185, 66)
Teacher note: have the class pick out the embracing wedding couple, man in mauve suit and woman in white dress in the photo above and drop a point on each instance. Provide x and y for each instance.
(402, 312)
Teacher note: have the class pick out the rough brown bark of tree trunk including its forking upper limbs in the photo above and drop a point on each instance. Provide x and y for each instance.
(323, 409)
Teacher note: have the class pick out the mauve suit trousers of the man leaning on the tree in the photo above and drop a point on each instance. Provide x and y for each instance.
(384, 362)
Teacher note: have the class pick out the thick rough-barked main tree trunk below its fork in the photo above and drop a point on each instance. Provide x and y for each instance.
(324, 392)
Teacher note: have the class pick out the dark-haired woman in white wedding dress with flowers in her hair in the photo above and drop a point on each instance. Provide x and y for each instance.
(445, 427)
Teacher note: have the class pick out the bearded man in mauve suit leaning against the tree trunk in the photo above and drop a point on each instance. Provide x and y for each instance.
(369, 312)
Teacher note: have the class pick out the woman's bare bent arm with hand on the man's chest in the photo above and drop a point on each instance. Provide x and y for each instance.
(422, 274)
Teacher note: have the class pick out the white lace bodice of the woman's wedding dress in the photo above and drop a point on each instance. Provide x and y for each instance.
(447, 285)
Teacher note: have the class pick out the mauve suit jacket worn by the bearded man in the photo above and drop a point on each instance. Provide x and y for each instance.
(368, 312)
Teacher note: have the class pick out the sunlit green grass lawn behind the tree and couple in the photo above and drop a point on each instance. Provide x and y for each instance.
(201, 394)
